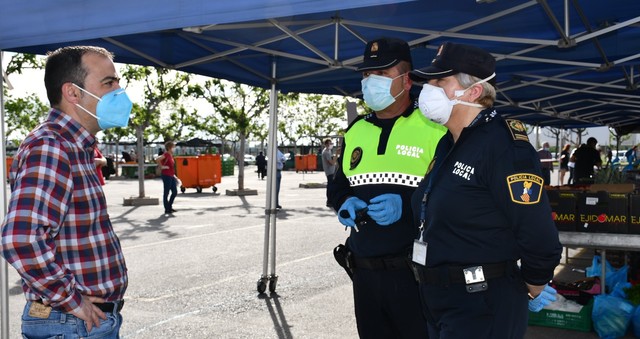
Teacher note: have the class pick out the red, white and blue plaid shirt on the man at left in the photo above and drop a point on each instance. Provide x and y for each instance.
(57, 233)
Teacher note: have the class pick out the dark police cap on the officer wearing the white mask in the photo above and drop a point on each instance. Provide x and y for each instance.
(455, 58)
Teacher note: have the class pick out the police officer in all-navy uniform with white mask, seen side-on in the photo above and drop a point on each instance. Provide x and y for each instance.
(481, 207)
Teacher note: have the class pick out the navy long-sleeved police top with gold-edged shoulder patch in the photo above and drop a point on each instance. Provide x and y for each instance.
(486, 203)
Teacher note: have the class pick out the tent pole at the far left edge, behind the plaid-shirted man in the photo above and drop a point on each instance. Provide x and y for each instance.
(4, 281)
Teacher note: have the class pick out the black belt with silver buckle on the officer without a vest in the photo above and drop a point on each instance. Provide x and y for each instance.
(473, 277)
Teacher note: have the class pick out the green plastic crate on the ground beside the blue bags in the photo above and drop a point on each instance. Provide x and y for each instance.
(580, 321)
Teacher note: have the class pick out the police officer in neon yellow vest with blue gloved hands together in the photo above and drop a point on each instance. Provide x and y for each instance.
(385, 155)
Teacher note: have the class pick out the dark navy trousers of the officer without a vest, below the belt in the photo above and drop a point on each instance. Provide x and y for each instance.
(498, 313)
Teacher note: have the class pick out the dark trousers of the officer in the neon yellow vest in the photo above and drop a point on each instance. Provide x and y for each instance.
(387, 304)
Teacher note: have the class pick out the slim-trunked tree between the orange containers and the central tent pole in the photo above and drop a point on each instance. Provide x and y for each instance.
(236, 104)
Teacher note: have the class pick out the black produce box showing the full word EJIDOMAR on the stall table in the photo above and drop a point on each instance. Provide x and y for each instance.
(603, 212)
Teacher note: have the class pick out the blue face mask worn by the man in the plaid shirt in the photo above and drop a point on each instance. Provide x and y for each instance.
(113, 109)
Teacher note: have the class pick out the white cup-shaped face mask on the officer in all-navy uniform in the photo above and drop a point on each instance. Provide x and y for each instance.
(436, 105)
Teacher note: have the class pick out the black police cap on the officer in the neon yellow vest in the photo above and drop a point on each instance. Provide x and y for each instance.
(384, 53)
